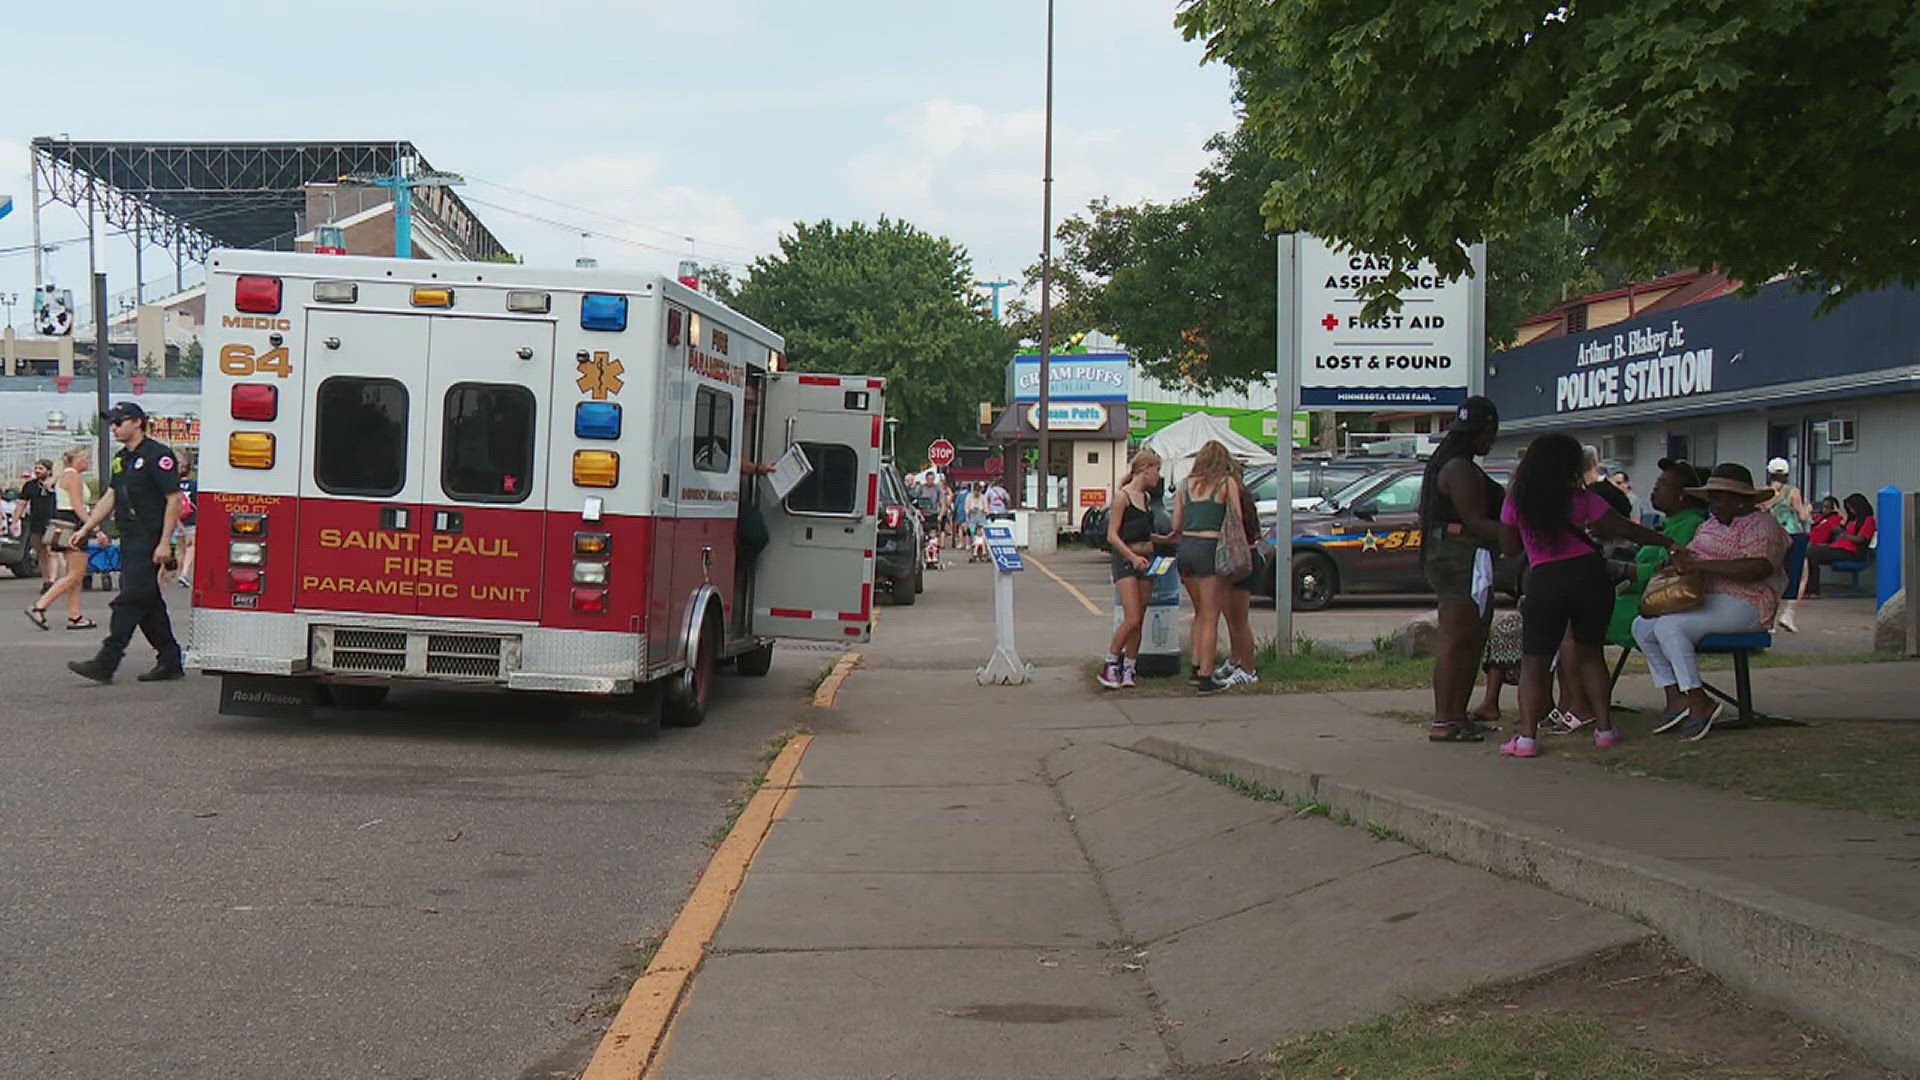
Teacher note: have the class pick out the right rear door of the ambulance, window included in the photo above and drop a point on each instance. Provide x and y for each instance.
(489, 410)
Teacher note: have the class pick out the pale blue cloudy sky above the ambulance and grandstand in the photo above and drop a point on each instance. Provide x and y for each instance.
(648, 122)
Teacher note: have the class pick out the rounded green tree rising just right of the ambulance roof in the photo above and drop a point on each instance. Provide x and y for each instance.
(886, 301)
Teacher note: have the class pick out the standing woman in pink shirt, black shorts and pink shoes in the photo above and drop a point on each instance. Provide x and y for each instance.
(1552, 516)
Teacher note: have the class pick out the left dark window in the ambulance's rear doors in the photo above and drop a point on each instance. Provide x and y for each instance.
(360, 437)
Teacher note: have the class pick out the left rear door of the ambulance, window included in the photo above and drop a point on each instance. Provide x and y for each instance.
(362, 481)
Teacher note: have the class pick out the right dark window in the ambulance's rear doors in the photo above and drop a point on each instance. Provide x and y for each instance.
(487, 447)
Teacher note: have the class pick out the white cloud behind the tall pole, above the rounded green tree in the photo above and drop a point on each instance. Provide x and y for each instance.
(974, 174)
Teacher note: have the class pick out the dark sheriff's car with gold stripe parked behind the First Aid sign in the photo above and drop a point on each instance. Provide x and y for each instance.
(1362, 539)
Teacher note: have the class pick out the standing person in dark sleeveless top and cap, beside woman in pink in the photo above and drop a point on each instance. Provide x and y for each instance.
(1460, 518)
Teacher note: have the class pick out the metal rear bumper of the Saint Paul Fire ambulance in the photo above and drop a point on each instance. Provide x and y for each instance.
(418, 650)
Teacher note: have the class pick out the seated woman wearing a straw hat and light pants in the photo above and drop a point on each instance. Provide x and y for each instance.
(1742, 552)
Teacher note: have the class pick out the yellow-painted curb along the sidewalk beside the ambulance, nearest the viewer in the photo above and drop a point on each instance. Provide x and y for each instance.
(636, 1037)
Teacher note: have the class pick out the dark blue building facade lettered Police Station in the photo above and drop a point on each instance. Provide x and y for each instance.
(1731, 380)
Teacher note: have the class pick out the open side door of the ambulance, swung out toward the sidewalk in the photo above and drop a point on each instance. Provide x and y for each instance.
(815, 579)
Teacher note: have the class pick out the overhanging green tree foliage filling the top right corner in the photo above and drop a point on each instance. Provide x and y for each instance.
(1762, 137)
